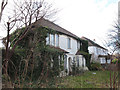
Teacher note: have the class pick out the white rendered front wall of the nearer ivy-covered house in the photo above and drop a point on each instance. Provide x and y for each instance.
(63, 44)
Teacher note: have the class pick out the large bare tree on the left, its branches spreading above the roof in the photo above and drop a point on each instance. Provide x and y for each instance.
(25, 13)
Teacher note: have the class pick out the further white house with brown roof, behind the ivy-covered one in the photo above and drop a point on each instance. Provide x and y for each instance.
(99, 53)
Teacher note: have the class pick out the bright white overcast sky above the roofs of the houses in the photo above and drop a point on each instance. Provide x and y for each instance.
(90, 18)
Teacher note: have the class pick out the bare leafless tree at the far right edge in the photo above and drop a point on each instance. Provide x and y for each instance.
(114, 44)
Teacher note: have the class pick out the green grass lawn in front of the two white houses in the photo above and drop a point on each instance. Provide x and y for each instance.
(87, 80)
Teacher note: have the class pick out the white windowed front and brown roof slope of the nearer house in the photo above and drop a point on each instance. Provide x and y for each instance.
(67, 42)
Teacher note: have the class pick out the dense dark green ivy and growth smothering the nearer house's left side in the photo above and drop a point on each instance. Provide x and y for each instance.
(33, 58)
